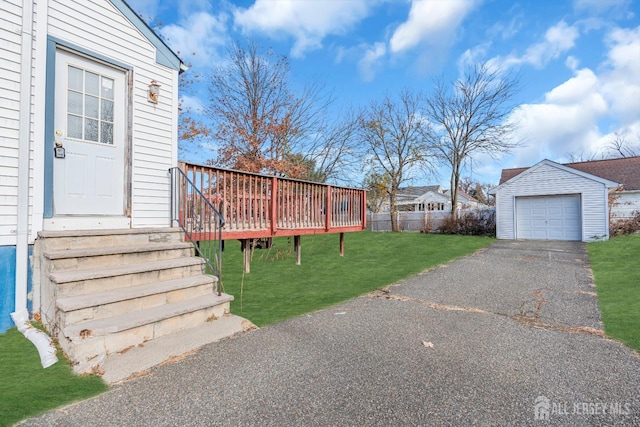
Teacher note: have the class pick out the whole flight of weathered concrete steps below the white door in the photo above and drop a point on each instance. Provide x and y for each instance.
(104, 292)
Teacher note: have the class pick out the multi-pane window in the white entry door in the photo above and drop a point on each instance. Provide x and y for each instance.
(89, 106)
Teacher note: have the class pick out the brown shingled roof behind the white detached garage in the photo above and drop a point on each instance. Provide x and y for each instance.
(625, 171)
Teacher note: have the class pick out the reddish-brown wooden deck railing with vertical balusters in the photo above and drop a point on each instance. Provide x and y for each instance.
(257, 206)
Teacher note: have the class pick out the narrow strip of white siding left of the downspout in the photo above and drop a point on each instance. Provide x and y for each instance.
(10, 37)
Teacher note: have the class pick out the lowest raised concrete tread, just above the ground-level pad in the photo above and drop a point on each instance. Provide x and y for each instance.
(111, 325)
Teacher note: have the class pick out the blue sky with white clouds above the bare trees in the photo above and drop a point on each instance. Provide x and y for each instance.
(579, 60)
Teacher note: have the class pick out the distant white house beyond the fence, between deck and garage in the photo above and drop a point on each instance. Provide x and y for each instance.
(431, 198)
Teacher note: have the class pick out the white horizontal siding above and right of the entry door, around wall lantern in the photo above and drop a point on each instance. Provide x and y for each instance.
(99, 27)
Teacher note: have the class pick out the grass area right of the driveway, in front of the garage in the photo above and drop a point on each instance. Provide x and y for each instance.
(617, 276)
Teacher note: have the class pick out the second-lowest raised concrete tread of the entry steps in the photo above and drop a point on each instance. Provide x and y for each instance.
(79, 302)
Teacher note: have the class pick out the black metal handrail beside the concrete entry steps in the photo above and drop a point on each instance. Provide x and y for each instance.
(197, 216)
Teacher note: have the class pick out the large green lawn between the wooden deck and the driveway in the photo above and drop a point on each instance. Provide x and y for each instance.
(278, 289)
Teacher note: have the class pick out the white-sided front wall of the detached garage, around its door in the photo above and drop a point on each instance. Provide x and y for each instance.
(546, 181)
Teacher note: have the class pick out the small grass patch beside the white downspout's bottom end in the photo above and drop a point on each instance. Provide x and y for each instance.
(26, 389)
